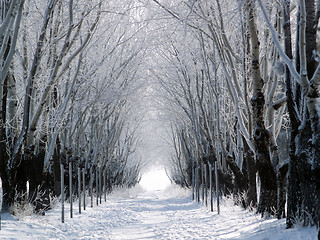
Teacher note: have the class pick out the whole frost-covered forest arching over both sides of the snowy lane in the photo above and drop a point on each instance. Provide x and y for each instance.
(229, 88)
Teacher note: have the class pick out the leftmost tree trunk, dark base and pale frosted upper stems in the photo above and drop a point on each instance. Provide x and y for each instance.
(10, 33)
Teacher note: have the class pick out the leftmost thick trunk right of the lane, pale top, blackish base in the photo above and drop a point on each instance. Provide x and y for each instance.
(261, 136)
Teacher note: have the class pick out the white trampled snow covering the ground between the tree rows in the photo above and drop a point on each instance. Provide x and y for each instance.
(138, 214)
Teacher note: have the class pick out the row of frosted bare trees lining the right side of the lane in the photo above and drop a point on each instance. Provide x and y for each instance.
(242, 78)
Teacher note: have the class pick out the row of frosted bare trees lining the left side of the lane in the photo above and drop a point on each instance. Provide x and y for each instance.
(68, 71)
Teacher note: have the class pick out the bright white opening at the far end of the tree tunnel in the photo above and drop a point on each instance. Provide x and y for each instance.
(155, 179)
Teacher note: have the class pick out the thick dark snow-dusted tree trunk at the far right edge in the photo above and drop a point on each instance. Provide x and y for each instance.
(312, 186)
